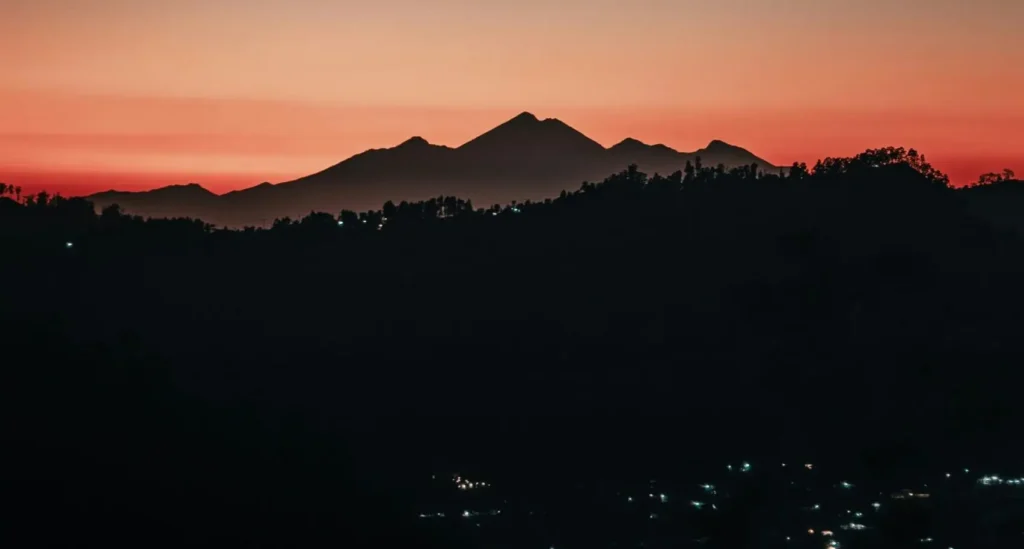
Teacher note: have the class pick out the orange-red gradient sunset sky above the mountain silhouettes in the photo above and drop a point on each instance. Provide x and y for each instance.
(138, 94)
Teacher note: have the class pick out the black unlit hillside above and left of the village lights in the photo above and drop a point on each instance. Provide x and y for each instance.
(273, 381)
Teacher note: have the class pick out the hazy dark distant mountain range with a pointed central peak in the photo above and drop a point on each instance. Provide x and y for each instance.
(523, 159)
